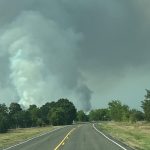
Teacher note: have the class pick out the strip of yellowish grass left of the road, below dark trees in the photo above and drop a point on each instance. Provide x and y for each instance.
(18, 135)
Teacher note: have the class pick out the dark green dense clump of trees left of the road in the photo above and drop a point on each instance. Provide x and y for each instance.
(62, 112)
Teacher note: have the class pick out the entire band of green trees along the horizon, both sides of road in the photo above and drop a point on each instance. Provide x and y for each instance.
(63, 112)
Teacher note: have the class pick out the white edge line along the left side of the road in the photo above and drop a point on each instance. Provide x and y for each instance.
(33, 138)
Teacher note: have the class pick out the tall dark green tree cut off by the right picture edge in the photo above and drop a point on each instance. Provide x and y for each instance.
(146, 106)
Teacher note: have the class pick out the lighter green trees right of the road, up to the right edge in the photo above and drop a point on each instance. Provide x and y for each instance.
(117, 111)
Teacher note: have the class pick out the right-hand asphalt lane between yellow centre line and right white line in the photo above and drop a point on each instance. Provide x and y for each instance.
(86, 137)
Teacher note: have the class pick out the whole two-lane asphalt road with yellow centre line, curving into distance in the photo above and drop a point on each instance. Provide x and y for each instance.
(75, 137)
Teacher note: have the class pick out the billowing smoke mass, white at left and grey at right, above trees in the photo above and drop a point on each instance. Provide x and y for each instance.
(42, 60)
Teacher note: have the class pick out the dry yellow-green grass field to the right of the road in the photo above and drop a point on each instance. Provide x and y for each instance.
(135, 135)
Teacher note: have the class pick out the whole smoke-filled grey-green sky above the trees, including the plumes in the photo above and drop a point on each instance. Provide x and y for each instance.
(90, 51)
